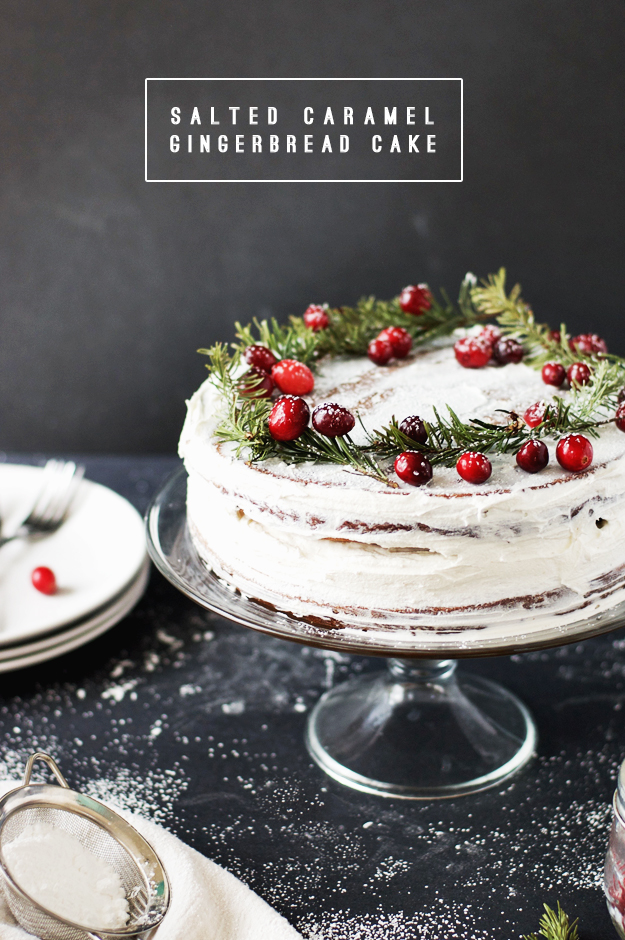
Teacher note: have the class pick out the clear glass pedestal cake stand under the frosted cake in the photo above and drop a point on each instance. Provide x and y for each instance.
(418, 730)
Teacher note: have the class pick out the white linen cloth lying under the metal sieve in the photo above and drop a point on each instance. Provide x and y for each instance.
(207, 902)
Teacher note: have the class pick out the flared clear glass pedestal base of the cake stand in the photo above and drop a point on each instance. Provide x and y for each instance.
(420, 731)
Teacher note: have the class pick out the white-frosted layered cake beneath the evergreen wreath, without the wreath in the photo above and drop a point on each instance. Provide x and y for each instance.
(335, 546)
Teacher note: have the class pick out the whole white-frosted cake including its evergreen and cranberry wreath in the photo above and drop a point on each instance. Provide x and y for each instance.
(413, 464)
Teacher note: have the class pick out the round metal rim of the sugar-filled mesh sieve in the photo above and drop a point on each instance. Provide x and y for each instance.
(67, 800)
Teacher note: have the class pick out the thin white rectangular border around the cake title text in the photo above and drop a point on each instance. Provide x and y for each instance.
(307, 80)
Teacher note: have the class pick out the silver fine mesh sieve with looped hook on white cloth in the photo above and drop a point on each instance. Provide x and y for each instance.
(103, 833)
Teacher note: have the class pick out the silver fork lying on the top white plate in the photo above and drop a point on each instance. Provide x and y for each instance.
(49, 511)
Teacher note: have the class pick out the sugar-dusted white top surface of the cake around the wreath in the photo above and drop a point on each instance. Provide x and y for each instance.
(429, 379)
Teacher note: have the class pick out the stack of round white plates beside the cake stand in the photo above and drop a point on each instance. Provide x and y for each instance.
(98, 557)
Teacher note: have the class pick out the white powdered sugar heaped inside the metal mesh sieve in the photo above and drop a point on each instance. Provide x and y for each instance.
(58, 872)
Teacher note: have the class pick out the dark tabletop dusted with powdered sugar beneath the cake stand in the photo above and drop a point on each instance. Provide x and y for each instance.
(199, 723)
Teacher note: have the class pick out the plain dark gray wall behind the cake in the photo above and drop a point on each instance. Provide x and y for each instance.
(109, 284)
